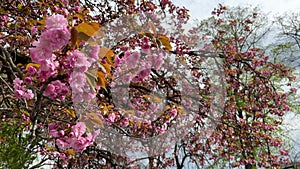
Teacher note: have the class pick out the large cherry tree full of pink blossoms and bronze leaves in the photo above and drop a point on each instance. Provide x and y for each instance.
(86, 84)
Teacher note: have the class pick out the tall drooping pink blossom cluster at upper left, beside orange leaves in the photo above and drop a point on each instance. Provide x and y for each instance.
(54, 37)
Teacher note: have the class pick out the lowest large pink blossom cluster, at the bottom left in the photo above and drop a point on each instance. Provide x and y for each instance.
(77, 139)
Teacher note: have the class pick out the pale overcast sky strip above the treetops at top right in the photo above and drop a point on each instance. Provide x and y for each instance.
(200, 9)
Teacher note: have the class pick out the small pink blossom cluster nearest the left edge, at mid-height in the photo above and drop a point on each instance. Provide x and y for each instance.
(20, 91)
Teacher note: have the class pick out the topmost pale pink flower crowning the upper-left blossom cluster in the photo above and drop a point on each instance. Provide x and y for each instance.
(56, 21)
